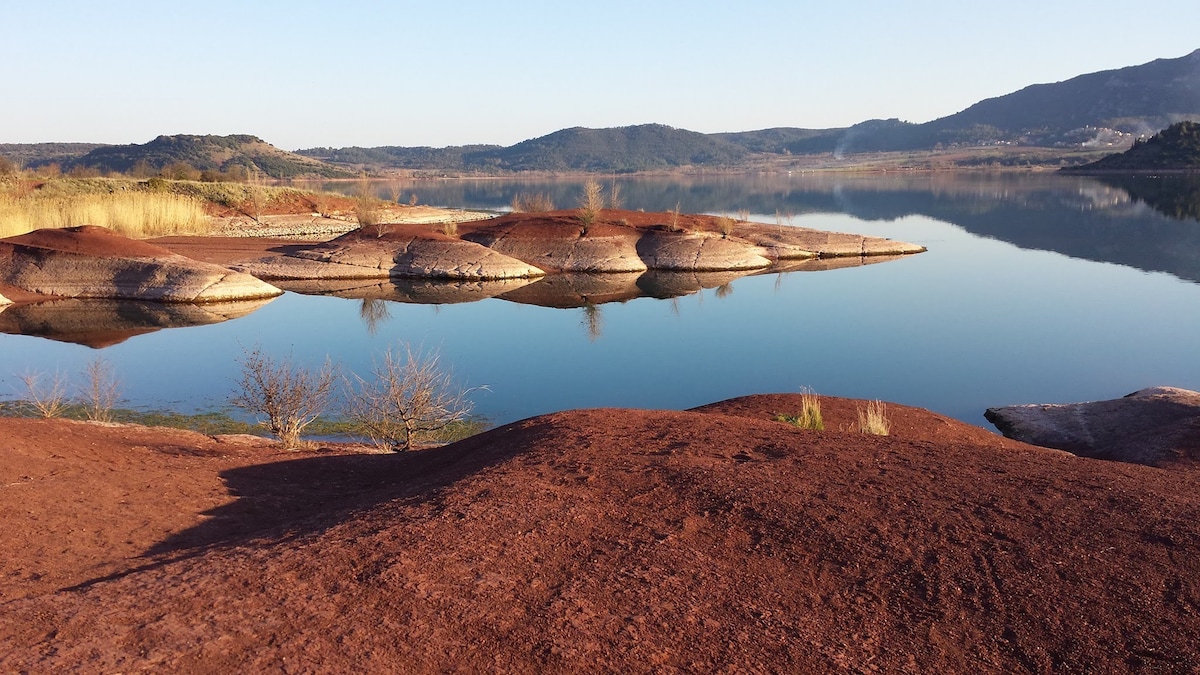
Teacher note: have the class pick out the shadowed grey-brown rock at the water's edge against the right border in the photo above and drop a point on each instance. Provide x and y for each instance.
(1156, 427)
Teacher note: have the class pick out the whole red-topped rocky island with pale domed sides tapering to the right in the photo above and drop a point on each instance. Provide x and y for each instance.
(530, 246)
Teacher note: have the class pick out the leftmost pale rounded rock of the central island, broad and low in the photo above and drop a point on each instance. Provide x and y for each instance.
(428, 256)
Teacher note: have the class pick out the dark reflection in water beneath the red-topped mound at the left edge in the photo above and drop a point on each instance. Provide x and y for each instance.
(103, 324)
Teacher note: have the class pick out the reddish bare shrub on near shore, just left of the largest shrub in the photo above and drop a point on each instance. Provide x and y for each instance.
(290, 398)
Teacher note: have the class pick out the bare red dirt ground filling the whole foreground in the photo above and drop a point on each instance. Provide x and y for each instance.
(599, 541)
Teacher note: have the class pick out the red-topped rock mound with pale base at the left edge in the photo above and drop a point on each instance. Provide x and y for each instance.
(95, 262)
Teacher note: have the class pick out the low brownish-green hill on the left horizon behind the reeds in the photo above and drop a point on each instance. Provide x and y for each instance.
(208, 153)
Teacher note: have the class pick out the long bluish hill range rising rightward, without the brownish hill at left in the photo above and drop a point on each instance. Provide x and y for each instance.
(1102, 110)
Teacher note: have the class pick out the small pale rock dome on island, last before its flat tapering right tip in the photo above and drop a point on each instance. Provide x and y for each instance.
(699, 252)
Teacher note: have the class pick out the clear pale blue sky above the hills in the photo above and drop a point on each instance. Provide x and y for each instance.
(356, 73)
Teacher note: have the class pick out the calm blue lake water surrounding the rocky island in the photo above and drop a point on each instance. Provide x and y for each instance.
(1035, 289)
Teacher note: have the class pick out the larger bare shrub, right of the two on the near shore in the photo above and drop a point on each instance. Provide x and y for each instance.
(409, 399)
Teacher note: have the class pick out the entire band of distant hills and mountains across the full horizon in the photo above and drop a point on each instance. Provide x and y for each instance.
(1108, 109)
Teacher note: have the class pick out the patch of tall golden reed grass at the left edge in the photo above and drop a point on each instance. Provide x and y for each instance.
(134, 214)
